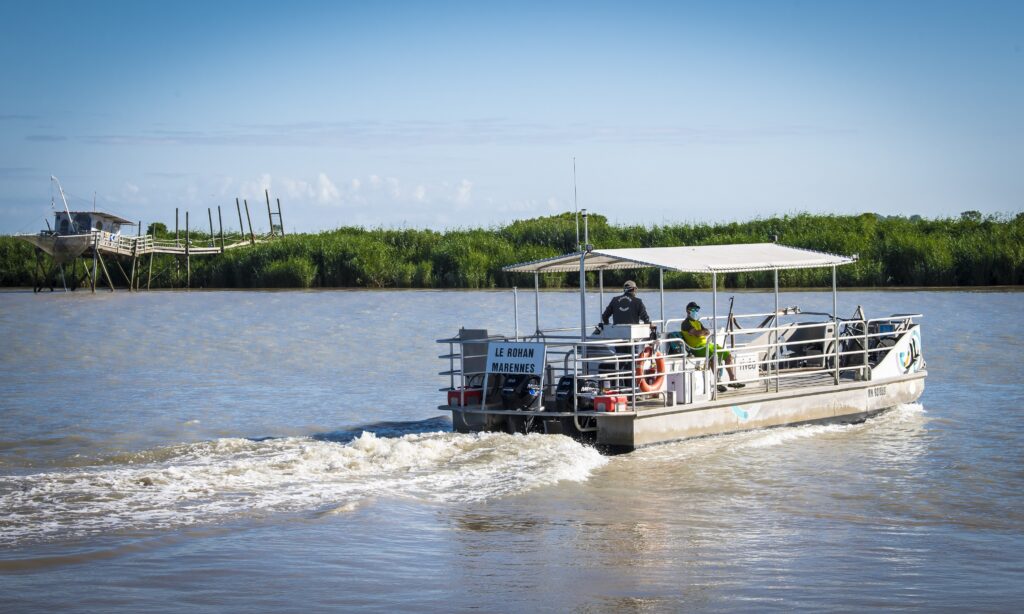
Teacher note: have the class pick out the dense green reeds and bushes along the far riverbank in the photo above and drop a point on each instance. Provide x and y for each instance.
(972, 250)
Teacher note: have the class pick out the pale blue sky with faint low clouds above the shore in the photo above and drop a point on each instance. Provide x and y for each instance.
(447, 115)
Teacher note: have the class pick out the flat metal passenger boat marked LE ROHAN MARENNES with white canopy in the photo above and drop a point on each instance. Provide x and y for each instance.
(622, 387)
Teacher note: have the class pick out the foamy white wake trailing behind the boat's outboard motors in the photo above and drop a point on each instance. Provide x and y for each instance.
(226, 479)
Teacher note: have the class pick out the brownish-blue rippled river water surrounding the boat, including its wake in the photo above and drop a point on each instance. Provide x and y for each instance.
(239, 452)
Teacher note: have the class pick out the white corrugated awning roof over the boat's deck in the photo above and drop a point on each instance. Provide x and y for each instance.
(698, 259)
